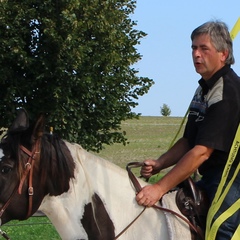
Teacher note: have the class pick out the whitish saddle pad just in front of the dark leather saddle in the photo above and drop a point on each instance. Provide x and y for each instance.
(177, 228)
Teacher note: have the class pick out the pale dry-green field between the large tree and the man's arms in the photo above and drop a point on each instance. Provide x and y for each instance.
(148, 137)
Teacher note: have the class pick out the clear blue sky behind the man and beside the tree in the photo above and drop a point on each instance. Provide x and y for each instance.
(166, 50)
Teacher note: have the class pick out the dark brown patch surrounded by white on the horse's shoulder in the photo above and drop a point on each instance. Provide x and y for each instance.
(97, 222)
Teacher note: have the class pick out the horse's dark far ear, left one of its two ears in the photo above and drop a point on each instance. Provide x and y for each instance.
(21, 123)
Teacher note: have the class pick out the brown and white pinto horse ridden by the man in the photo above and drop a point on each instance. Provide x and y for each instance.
(84, 196)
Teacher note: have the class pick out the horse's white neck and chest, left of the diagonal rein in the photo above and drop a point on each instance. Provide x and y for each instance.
(92, 176)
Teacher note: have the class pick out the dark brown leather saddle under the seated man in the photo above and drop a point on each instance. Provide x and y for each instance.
(193, 204)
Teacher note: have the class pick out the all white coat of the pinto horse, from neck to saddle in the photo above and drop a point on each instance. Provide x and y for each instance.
(112, 185)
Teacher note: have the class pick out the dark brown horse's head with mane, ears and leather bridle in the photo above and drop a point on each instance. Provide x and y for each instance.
(32, 164)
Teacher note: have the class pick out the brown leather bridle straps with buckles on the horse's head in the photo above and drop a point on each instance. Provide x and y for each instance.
(29, 167)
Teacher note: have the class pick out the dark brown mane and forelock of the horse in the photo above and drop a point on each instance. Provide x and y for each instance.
(56, 166)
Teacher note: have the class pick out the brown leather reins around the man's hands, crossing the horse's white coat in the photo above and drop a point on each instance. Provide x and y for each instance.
(138, 188)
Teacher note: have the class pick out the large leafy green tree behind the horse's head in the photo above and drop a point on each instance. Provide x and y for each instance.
(72, 60)
